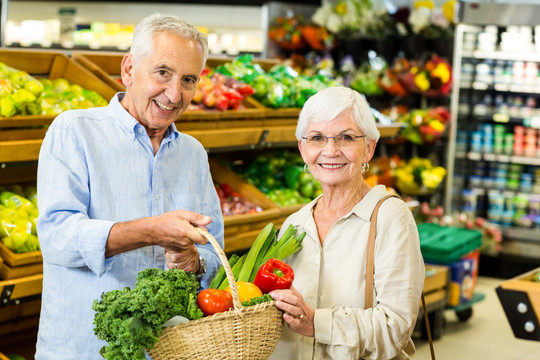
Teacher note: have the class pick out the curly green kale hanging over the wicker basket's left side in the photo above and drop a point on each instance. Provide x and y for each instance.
(131, 320)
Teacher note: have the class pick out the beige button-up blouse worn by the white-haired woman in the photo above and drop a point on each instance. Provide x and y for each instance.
(331, 279)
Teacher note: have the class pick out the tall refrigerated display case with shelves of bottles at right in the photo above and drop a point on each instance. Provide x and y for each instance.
(494, 149)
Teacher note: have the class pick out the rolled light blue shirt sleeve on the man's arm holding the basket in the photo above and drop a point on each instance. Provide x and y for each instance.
(67, 236)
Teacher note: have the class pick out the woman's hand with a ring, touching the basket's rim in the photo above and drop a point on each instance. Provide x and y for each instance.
(298, 314)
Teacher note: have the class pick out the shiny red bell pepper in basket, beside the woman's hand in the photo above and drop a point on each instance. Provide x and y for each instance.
(274, 274)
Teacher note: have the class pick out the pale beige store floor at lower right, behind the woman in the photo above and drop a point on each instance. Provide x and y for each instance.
(485, 336)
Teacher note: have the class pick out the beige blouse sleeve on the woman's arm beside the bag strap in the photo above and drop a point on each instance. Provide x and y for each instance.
(383, 331)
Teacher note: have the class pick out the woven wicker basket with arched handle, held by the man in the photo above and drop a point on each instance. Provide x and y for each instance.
(241, 333)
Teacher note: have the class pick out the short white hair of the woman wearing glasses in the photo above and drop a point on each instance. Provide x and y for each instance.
(329, 103)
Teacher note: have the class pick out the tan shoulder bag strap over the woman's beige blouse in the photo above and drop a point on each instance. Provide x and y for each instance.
(369, 270)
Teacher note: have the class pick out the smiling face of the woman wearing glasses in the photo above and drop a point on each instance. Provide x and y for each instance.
(332, 164)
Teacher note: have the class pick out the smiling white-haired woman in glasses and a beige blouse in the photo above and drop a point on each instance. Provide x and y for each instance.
(325, 310)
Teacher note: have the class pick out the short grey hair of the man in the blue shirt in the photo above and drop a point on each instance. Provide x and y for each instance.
(142, 44)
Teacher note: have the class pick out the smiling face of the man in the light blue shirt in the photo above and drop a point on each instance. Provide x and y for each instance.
(160, 87)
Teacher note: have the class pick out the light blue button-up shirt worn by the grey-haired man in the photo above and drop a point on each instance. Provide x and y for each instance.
(97, 167)
